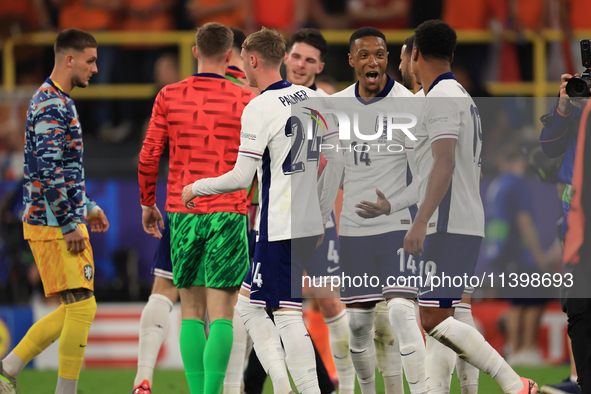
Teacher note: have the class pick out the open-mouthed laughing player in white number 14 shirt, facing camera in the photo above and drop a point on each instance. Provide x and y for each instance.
(377, 242)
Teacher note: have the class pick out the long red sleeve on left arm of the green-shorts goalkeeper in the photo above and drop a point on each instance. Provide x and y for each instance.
(154, 144)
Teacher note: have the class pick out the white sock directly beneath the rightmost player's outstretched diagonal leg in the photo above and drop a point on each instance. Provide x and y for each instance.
(439, 366)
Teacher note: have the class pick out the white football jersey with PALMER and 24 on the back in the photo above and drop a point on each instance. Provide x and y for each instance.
(289, 163)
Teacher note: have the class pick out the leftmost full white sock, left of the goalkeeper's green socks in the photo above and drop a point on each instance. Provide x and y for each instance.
(153, 325)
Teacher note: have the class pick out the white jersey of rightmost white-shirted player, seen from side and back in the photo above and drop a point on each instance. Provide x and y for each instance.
(450, 112)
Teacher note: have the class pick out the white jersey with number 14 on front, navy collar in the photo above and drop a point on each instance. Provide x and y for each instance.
(380, 163)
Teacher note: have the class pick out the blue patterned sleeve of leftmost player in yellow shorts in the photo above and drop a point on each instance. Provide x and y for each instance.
(50, 135)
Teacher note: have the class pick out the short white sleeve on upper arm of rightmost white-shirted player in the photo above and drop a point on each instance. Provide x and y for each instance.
(442, 117)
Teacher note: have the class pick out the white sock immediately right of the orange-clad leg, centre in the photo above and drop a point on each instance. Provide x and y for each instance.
(338, 336)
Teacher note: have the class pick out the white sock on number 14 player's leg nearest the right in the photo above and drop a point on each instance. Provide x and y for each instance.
(412, 346)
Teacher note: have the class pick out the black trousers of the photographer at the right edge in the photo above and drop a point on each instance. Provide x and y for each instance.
(576, 303)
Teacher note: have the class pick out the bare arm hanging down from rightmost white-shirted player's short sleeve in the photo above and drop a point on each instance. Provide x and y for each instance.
(440, 177)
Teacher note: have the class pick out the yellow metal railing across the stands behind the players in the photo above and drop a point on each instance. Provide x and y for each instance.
(184, 40)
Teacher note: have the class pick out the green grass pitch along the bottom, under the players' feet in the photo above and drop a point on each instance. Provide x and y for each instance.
(106, 381)
